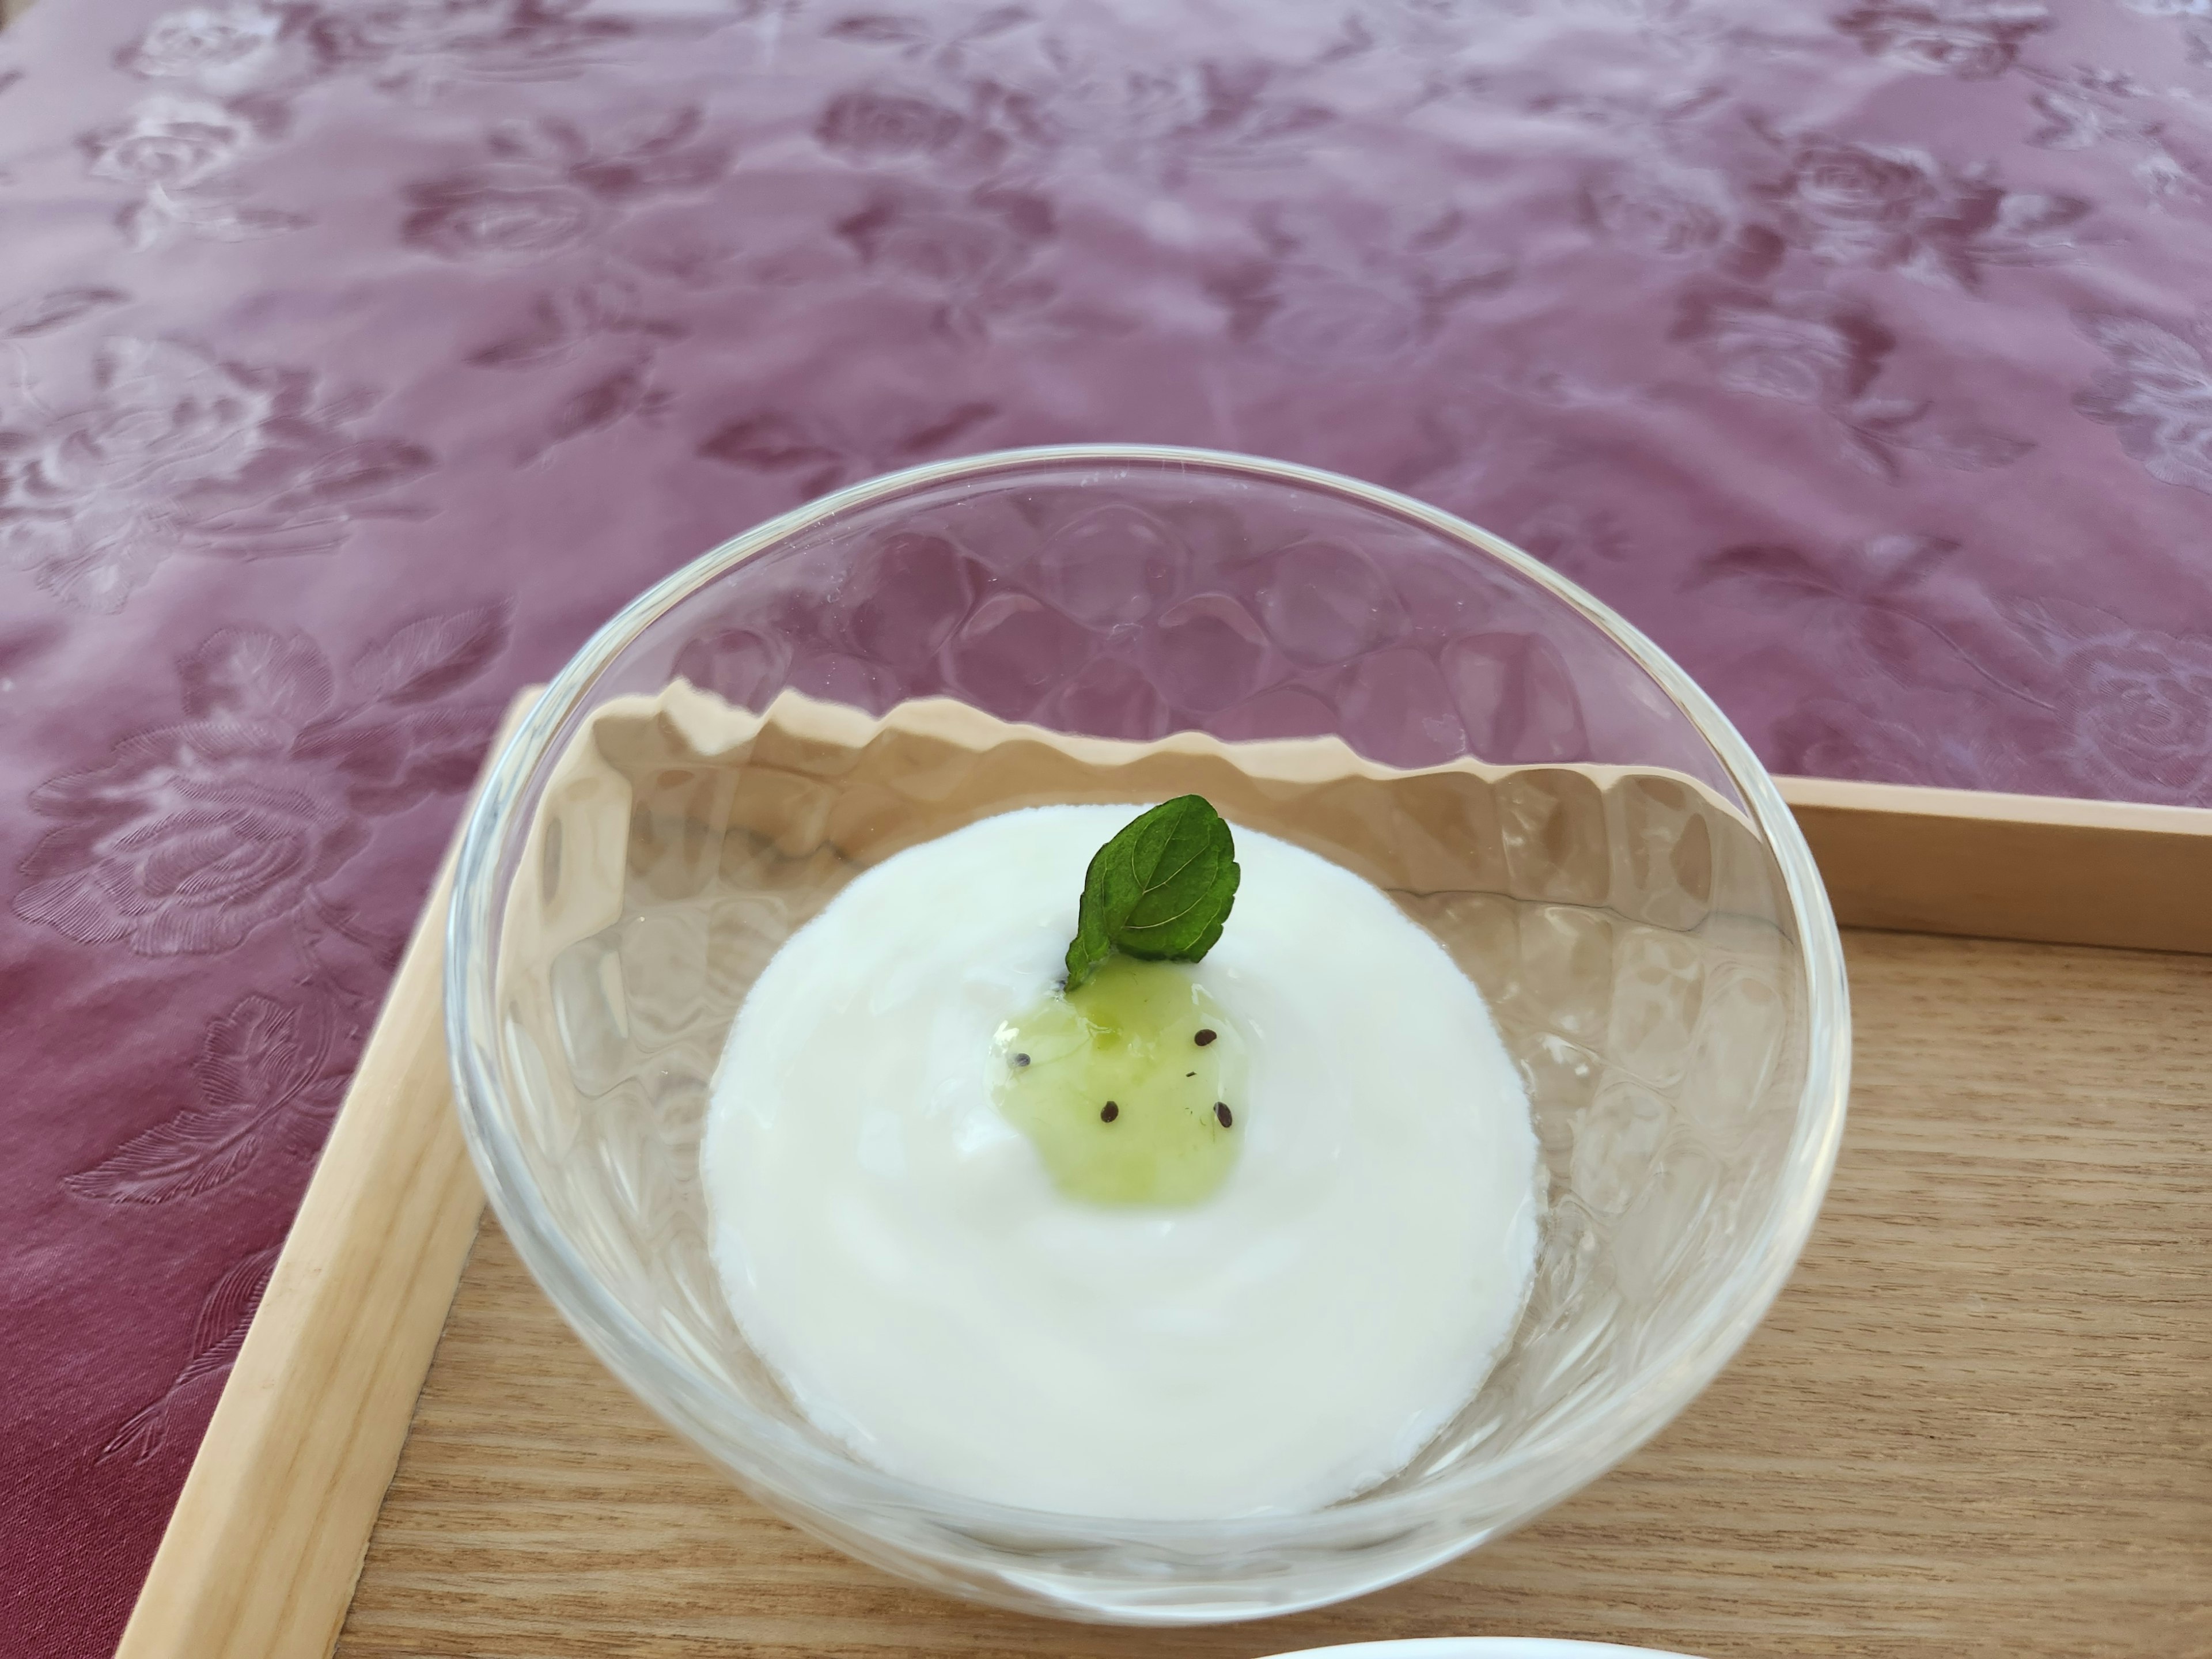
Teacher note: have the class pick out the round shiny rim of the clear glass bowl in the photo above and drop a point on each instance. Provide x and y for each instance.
(769, 1454)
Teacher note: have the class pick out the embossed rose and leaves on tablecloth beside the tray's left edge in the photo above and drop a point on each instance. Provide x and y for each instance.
(236, 820)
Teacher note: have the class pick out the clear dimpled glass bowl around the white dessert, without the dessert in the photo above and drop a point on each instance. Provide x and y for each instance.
(1618, 875)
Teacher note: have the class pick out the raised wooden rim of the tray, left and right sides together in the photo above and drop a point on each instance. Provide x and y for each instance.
(267, 1541)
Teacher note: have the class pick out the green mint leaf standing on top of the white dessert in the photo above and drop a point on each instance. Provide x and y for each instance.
(1162, 888)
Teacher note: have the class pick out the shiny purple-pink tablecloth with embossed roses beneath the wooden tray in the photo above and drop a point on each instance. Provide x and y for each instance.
(362, 357)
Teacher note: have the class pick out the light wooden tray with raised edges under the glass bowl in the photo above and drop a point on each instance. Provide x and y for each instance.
(1976, 1421)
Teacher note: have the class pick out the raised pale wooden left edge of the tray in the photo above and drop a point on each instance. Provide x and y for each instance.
(262, 1550)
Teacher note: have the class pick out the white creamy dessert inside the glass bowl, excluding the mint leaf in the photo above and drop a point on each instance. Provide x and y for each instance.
(906, 1260)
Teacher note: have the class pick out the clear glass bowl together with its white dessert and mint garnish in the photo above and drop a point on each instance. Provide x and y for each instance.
(1142, 1034)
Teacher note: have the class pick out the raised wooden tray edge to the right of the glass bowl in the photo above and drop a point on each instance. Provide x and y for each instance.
(2010, 866)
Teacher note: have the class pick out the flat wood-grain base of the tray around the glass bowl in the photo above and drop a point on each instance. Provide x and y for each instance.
(1976, 1423)
